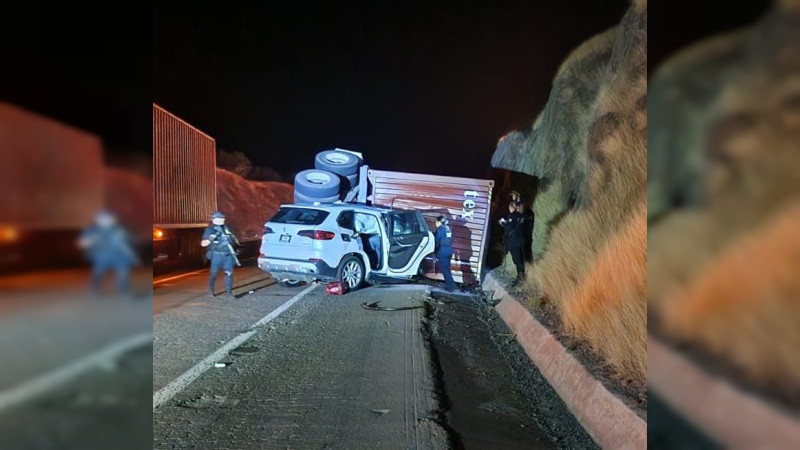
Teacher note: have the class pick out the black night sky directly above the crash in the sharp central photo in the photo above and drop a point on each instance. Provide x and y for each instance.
(424, 86)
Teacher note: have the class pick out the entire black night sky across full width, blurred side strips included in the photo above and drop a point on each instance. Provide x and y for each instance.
(415, 87)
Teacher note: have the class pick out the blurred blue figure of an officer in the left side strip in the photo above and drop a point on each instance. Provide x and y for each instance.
(109, 247)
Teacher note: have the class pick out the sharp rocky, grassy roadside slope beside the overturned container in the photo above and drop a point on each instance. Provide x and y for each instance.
(588, 150)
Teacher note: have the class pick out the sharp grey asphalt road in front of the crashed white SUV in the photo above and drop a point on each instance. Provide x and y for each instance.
(318, 371)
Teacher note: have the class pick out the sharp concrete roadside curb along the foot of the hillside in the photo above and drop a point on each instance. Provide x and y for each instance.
(609, 422)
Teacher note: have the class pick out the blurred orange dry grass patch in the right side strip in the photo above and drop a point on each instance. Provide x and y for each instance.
(744, 306)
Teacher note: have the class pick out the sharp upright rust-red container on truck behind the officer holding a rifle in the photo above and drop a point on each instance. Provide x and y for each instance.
(184, 187)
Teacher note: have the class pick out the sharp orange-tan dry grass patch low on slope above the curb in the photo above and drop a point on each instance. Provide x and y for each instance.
(608, 309)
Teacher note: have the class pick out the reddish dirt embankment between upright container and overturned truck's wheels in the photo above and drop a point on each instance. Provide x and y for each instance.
(248, 204)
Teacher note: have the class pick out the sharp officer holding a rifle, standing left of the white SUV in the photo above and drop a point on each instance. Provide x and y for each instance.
(219, 240)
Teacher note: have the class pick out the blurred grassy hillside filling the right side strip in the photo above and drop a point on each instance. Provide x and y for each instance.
(723, 190)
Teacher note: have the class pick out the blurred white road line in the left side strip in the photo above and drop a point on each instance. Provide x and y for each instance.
(37, 386)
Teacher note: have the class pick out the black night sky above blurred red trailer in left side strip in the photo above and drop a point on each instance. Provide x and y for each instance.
(94, 73)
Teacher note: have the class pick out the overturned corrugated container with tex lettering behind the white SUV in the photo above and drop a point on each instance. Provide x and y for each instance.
(466, 202)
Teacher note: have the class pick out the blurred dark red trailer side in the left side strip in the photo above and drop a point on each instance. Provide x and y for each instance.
(51, 174)
